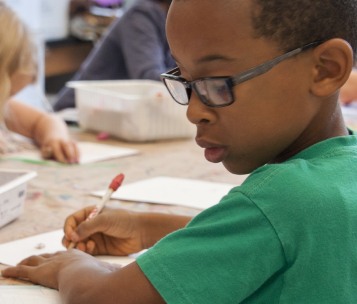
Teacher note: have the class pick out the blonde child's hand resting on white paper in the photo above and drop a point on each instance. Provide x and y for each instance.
(62, 150)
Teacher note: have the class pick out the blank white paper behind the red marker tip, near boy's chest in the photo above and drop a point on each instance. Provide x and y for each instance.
(173, 191)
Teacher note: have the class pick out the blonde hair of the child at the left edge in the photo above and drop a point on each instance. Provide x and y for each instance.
(17, 51)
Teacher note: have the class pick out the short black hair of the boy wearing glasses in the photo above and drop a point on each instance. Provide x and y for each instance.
(293, 23)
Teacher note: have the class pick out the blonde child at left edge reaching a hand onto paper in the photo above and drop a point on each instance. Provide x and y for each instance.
(17, 69)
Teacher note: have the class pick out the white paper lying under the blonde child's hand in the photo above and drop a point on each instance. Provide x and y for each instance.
(89, 152)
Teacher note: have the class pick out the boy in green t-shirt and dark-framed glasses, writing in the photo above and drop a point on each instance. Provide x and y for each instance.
(288, 234)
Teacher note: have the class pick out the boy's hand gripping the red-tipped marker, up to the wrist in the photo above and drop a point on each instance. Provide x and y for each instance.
(112, 232)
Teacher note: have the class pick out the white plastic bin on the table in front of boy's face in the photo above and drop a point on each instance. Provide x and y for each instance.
(132, 110)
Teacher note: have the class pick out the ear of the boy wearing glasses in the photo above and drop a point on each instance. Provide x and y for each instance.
(333, 61)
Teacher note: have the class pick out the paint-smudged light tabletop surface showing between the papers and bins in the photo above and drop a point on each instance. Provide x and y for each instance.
(59, 190)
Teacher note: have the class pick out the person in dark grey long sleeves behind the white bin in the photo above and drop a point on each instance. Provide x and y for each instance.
(134, 47)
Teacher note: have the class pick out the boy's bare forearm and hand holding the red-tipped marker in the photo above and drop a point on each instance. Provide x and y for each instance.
(119, 231)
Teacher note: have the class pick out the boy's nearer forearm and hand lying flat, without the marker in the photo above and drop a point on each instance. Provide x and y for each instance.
(80, 278)
